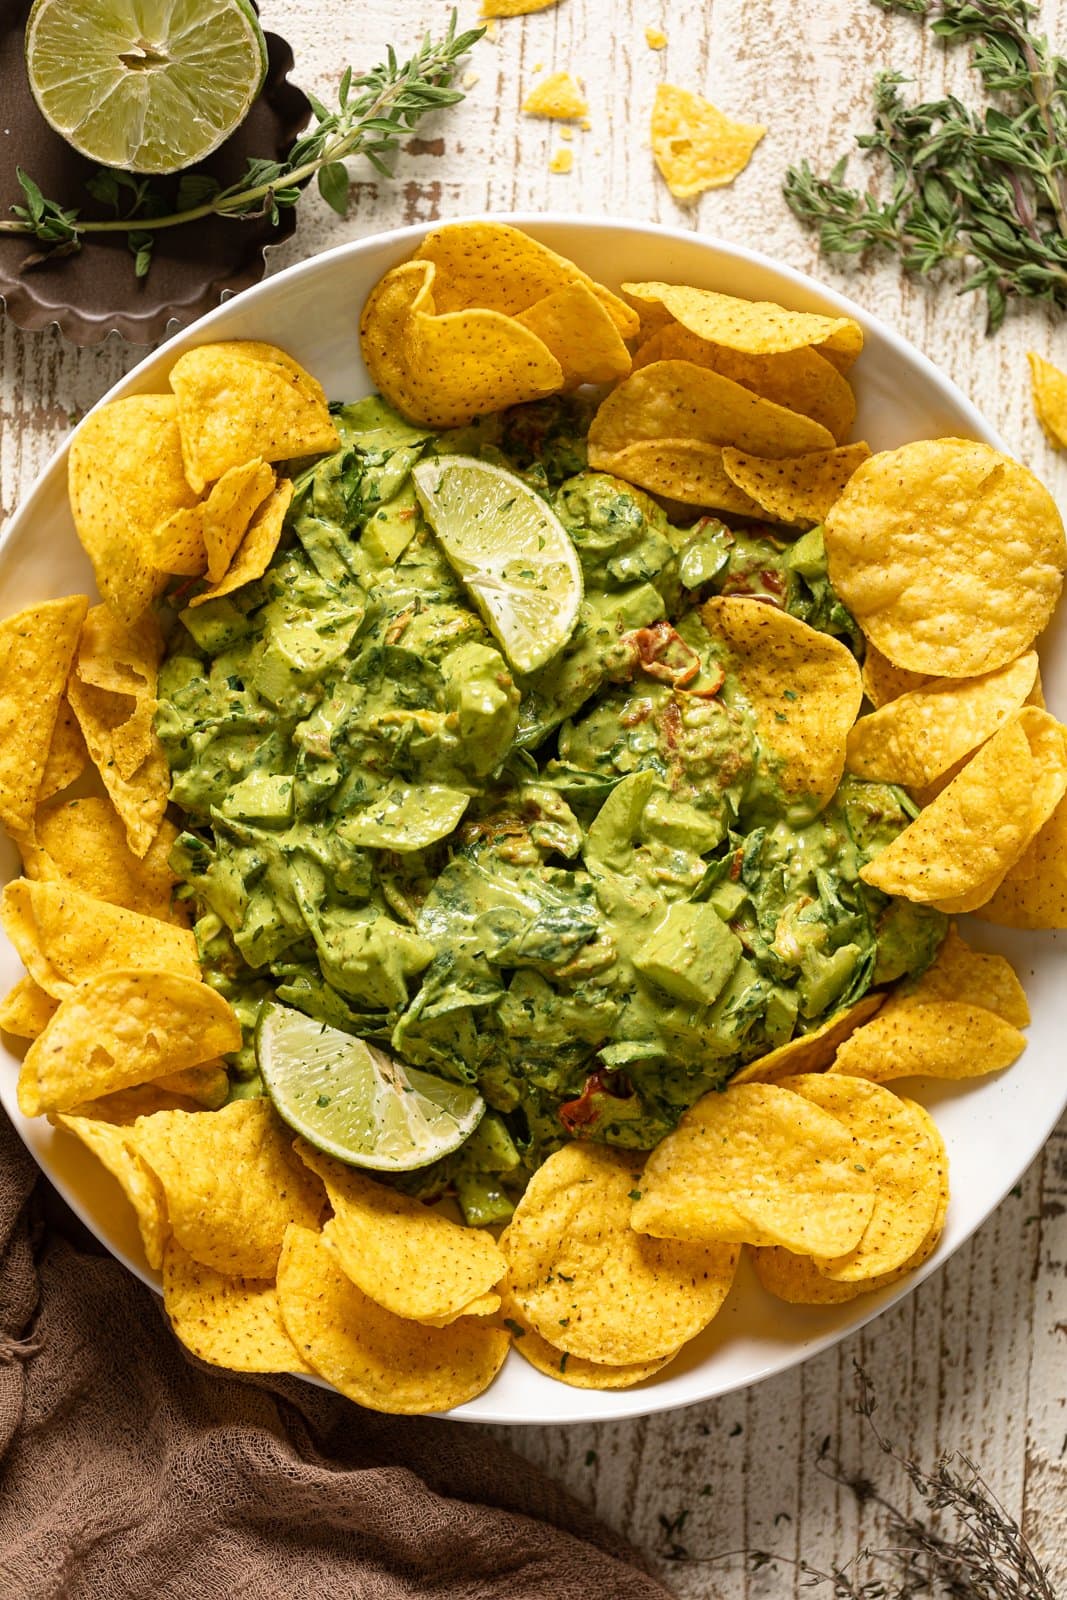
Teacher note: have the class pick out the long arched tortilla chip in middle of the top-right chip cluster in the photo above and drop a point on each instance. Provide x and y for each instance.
(681, 401)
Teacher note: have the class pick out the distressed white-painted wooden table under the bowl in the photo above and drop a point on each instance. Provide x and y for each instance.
(977, 1359)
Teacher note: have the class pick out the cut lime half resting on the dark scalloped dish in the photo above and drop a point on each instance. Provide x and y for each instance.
(148, 89)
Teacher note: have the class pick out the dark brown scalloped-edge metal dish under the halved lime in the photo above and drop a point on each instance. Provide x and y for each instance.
(97, 292)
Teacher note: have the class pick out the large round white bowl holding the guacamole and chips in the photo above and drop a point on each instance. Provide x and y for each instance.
(993, 1127)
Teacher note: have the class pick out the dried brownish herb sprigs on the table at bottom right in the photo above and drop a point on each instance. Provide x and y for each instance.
(962, 1546)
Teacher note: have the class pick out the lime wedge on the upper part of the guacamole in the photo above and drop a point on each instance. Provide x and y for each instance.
(511, 551)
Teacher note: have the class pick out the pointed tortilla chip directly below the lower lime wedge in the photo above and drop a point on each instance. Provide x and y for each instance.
(407, 1257)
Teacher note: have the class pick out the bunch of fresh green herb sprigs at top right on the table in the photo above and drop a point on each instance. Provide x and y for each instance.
(985, 190)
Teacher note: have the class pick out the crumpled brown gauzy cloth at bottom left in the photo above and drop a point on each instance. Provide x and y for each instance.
(134, 1473)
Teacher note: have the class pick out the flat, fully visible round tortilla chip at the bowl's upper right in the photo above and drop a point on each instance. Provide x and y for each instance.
(949, 556)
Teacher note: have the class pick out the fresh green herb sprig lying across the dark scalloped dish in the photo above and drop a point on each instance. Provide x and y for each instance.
(374, 113)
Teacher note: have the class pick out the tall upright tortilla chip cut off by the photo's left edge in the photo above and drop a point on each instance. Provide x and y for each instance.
(36, 652)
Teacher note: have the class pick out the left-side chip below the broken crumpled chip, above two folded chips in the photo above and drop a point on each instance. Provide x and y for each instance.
(84, 846)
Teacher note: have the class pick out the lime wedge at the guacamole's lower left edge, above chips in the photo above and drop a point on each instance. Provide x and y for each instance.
(354, 1102)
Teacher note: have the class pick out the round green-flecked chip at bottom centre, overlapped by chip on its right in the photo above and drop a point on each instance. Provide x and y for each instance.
(593, 1286)
